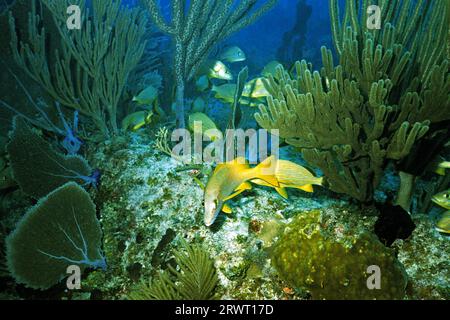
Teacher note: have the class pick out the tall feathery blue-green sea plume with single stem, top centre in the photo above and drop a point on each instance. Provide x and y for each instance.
(196, 27)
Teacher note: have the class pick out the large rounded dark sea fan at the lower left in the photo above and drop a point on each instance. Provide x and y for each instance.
(61, 230)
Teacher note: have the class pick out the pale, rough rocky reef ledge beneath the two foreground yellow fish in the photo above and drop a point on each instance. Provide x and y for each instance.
(146, 206)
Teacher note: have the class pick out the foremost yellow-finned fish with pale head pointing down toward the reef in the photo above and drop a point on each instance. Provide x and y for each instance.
(229, 180)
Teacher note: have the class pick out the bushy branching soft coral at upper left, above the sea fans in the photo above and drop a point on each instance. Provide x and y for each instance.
(93, 65)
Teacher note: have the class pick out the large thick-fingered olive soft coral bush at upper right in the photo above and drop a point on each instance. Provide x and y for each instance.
(390, 85)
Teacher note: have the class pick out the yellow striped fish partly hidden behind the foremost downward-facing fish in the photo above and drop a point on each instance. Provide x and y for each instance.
(291, 175)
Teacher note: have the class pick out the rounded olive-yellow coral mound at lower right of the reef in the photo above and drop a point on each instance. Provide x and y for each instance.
(309, 256)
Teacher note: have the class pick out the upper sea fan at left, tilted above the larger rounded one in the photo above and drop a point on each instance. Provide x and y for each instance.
(37, 168)
